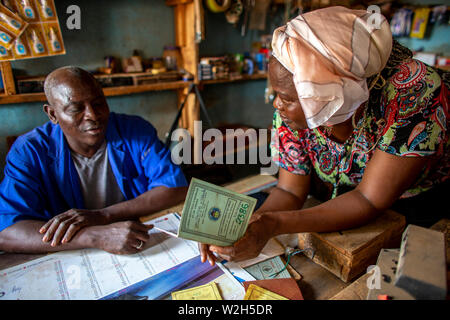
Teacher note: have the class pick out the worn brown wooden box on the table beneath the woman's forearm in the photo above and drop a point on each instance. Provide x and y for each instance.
(348, 253)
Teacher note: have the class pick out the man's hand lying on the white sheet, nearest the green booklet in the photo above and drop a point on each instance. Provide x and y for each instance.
(125, 237)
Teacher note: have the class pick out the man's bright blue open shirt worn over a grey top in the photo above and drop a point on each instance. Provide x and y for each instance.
(41, 180)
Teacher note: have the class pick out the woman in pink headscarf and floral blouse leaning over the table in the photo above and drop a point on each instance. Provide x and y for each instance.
(357, 115)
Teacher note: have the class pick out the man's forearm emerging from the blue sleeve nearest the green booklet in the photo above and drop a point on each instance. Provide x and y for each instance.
(154, 200)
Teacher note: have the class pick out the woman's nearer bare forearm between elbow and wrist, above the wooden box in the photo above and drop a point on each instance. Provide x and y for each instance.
(347, 211)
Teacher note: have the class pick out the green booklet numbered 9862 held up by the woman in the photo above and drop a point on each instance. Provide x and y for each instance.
(214, 215)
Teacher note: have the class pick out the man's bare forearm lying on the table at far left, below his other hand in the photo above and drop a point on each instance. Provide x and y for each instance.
(24, 237)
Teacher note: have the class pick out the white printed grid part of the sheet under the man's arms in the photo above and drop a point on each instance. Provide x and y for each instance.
(91, 273)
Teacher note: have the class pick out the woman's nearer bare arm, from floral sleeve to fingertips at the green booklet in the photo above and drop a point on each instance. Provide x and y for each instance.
(386, 177)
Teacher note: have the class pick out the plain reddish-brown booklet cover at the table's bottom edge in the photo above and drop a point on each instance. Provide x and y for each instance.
(286, 287)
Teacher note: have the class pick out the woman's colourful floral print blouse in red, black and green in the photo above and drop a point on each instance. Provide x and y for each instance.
(408, 117)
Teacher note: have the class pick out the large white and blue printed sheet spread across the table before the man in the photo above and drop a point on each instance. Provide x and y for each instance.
(166, 264)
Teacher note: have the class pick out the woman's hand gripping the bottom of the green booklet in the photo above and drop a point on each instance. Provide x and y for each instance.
(260, 229)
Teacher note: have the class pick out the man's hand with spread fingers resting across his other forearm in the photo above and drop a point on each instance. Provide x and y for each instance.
(61, 228)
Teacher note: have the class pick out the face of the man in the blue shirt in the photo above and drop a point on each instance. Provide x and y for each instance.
(80, 108)
